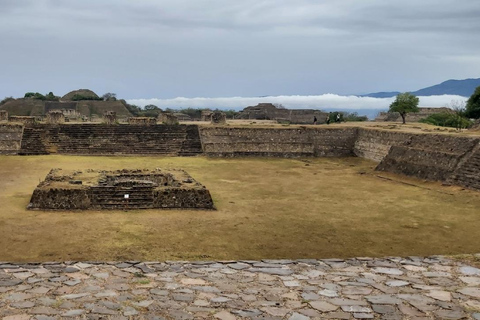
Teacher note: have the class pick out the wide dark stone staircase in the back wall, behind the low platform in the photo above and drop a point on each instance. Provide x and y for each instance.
(95, 139)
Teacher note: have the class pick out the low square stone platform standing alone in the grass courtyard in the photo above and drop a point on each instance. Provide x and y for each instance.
(121, 189)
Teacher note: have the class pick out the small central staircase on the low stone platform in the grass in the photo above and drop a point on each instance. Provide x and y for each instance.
(111, 197)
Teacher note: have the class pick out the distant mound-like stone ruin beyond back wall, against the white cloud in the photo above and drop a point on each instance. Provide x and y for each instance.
(268, 111)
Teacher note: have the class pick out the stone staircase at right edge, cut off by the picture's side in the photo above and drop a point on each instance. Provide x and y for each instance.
(467, 173)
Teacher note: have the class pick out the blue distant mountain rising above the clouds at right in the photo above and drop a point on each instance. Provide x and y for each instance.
(464, 88)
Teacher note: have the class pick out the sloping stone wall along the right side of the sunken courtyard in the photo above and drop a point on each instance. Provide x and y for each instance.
(426, 156)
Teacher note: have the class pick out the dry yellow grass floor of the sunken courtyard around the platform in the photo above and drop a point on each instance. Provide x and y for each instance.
(267, 208)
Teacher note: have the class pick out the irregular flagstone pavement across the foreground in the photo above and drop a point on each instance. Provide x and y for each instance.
(362, 288)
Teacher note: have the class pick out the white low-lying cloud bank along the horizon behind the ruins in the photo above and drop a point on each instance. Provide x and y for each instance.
(325, 101)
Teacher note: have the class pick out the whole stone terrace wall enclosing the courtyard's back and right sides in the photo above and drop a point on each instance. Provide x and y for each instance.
(449, 158)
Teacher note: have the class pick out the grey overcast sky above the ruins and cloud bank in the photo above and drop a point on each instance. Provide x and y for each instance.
(229, 48)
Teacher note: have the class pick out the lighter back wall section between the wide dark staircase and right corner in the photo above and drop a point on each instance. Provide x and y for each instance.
(276, 142)
